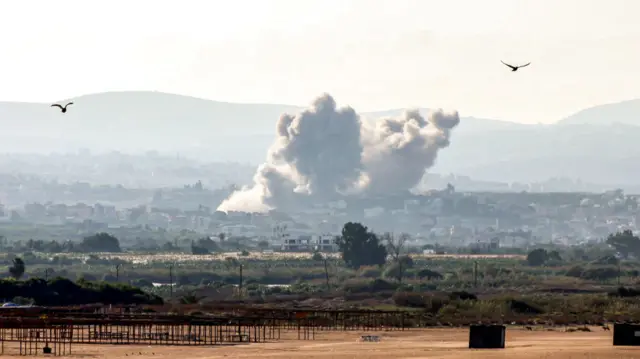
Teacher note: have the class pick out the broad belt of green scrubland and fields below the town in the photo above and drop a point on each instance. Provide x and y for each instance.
(545, 284)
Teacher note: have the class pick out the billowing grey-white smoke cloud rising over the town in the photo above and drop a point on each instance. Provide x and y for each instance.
(325, 152)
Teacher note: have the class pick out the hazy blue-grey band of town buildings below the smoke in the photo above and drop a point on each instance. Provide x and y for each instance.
(481, 221)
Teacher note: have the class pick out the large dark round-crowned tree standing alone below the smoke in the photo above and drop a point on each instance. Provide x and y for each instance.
(360, 247)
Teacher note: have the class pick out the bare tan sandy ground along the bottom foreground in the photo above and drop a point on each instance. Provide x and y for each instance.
(429, 343)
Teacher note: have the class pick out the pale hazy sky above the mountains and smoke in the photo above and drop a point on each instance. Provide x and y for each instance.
(371, 54)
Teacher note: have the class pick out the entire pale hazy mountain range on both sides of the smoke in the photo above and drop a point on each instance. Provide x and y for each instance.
(598, 144)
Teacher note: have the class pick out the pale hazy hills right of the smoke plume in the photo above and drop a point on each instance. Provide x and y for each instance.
(597, 145)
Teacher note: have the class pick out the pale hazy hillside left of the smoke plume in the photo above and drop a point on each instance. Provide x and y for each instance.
(133, 121)
